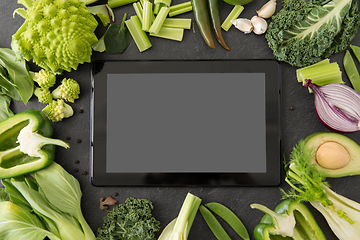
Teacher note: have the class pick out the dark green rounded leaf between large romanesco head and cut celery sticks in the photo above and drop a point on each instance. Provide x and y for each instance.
(117, 37)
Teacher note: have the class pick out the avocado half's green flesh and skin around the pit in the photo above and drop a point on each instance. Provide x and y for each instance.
(315, 140)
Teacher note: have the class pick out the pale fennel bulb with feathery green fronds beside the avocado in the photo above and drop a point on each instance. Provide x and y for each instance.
(308, 184)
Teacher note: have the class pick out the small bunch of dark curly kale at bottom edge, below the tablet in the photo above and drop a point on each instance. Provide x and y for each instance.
(132, 220)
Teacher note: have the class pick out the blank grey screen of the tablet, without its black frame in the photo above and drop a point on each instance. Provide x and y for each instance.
(186, 122)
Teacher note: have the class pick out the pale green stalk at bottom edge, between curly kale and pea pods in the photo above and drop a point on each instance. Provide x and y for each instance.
(180, 227)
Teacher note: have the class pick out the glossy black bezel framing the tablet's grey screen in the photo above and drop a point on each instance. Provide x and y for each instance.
(271, 68)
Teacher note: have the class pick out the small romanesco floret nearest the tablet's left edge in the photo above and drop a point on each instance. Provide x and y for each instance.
(68, 90)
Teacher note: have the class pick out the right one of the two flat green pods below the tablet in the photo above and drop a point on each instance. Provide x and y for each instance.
(230, 218)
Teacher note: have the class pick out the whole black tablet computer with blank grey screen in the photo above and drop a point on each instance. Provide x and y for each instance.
(186, 122)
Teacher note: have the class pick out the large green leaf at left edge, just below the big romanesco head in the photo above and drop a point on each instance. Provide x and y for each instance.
(15, 79)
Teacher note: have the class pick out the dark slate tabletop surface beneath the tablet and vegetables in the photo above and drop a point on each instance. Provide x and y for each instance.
(298, 123)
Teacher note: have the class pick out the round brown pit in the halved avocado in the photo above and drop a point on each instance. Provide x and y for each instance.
(332, 155)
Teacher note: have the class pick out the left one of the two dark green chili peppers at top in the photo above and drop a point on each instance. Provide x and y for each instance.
(202, 19)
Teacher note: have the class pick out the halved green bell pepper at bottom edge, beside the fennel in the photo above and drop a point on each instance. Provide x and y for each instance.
(291, 220)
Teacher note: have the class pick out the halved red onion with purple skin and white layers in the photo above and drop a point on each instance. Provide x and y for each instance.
(337, 106)
